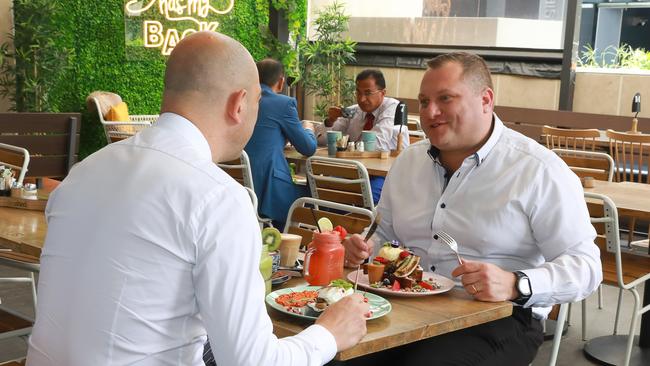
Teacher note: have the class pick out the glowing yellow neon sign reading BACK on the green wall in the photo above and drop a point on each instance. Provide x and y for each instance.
(184, 16)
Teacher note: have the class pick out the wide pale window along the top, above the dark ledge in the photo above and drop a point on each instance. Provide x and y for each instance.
(533, 24)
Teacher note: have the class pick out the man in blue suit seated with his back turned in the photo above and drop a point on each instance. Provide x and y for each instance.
(277, 122)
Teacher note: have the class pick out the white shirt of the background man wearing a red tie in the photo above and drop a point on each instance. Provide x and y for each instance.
(383, 125)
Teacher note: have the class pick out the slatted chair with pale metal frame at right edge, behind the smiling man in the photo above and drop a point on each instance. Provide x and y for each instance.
(604, 216)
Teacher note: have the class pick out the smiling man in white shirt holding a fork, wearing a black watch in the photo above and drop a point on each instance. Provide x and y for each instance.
(514, 207)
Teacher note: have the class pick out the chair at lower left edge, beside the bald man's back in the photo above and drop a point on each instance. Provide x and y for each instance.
(14, 323)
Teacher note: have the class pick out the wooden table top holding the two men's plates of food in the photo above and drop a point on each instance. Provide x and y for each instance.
(411, 319)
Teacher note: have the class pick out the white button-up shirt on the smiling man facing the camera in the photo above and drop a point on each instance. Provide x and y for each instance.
(514, 203)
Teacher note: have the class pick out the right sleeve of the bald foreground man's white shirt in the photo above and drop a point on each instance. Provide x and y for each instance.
(230, 291)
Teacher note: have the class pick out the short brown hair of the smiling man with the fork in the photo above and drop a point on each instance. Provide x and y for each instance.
(475, 69)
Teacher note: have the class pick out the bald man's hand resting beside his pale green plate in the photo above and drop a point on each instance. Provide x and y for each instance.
(346, 320)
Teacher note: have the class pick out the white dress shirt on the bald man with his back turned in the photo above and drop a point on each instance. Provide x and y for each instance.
(150, 248)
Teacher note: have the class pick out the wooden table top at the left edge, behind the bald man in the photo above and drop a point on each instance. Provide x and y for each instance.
(22, 230)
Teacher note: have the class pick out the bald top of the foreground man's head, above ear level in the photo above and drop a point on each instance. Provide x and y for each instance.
(210, 65)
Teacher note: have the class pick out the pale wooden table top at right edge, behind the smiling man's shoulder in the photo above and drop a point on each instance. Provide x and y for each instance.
(631, 199)
